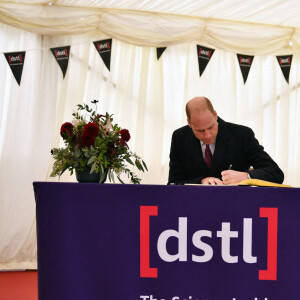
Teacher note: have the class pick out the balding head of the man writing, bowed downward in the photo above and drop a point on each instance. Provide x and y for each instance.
(202, 118)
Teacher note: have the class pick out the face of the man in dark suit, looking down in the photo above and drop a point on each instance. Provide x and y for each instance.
(204, 126)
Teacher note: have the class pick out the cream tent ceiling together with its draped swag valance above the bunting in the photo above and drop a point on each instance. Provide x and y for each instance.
(250, 27)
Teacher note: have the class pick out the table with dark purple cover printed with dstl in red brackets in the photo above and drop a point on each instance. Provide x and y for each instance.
(156, 242)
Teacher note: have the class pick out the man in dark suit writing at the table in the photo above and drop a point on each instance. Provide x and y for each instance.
(211, 151)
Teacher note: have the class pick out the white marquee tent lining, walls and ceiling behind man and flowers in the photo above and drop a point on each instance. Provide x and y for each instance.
(146, 95)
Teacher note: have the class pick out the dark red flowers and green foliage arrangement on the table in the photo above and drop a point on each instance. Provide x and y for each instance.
(93, 141)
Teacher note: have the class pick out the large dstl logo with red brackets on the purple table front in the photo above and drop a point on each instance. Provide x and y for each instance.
(225, 235)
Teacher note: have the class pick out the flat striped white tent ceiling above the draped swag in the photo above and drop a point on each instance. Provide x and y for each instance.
(272, 12)
